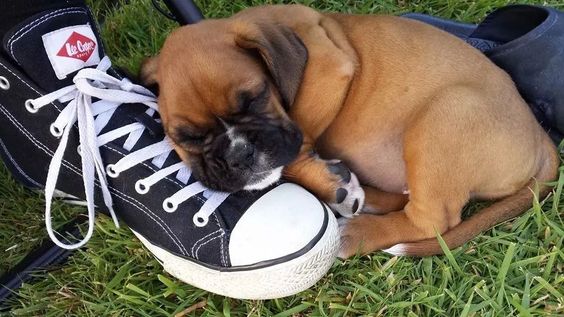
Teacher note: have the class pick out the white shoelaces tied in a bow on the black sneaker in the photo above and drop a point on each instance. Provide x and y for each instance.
(92, 118)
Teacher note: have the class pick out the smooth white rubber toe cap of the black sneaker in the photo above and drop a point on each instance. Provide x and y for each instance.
(283, 221)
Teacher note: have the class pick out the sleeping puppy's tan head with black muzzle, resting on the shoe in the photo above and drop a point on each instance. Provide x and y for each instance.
(224, 89)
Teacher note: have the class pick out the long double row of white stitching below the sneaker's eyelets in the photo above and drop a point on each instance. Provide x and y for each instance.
(121, 195)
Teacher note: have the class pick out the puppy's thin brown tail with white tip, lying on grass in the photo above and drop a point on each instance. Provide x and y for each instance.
(505, 209)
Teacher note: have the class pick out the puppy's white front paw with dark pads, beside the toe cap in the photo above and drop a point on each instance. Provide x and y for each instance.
(349, 196)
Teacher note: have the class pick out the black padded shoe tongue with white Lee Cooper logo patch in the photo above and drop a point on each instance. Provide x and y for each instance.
(53, 45)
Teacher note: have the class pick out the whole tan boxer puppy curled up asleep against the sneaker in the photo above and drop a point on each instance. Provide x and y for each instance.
(424, 122)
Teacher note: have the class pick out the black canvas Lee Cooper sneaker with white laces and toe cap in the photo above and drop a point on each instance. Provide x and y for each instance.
(72, 126)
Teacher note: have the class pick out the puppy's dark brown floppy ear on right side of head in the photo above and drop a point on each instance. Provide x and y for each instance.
(282, 51)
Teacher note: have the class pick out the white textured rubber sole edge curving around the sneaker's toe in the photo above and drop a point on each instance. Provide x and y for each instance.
(279, 280)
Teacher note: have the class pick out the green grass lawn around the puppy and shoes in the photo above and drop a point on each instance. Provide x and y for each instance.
(515, 269)
